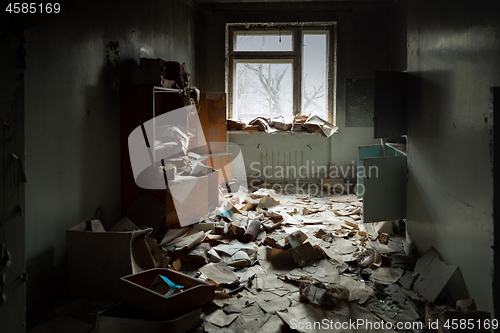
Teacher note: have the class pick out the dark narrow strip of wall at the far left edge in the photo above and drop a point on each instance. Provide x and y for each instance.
(12, 202)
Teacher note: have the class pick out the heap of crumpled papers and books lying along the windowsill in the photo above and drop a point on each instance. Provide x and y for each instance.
(310, 124)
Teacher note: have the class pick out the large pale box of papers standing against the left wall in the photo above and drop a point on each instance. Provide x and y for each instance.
(98, 259)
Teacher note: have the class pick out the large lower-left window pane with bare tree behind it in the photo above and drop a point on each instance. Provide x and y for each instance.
(262, 89)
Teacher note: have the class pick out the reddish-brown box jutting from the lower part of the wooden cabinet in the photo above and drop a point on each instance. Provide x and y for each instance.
(192, 199)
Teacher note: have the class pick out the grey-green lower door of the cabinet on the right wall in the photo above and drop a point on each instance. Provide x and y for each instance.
(384, 180)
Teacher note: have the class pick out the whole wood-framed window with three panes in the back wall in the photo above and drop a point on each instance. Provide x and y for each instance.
(280, 70)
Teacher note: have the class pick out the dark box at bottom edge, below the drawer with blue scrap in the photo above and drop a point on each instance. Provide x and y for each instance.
(125, 318)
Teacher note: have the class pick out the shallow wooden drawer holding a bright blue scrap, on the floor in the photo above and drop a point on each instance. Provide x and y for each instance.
(135, 291)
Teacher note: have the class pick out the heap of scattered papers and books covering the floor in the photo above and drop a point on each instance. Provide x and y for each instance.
(277, 259)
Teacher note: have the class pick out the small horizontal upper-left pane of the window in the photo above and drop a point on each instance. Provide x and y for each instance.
(263, 41)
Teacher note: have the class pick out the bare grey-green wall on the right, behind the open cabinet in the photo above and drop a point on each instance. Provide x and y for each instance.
(453, 53)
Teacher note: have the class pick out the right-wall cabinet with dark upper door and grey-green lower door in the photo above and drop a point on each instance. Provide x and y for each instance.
(382, 169)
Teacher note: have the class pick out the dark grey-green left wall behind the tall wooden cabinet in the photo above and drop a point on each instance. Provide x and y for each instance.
(72, 117)
